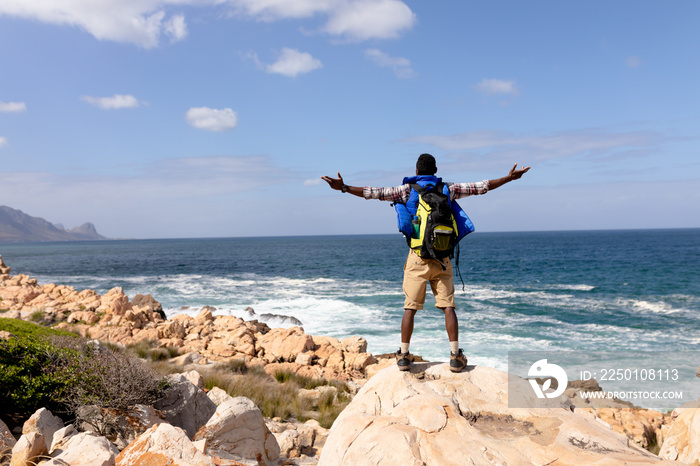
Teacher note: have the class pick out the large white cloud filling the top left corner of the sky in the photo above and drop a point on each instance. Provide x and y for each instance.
(141, 22)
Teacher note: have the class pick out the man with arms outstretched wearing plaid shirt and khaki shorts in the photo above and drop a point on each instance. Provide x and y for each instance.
(420, 270)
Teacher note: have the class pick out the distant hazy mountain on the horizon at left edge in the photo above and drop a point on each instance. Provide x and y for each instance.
(16, 226)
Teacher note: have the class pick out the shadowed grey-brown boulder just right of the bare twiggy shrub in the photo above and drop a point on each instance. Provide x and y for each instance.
(185, 406)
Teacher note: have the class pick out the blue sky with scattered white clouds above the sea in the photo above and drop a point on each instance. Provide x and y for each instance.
(195, 118)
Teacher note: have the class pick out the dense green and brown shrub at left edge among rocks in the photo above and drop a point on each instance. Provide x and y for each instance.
(64, 373)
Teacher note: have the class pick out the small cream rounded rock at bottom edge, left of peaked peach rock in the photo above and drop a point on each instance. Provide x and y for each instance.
(84, 449)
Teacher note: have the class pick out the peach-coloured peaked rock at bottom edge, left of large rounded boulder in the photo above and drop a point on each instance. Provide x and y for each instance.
(162, 444)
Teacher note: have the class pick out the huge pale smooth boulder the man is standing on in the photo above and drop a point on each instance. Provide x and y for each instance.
(433, 416)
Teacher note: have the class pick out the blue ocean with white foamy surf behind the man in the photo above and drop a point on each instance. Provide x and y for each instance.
(585, 291)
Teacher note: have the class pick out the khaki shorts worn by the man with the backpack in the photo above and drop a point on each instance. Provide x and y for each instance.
(417, 272)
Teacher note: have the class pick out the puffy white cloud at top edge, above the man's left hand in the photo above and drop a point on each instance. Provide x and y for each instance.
(370, 19)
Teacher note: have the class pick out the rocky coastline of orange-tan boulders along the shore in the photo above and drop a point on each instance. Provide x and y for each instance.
(427, 409)
